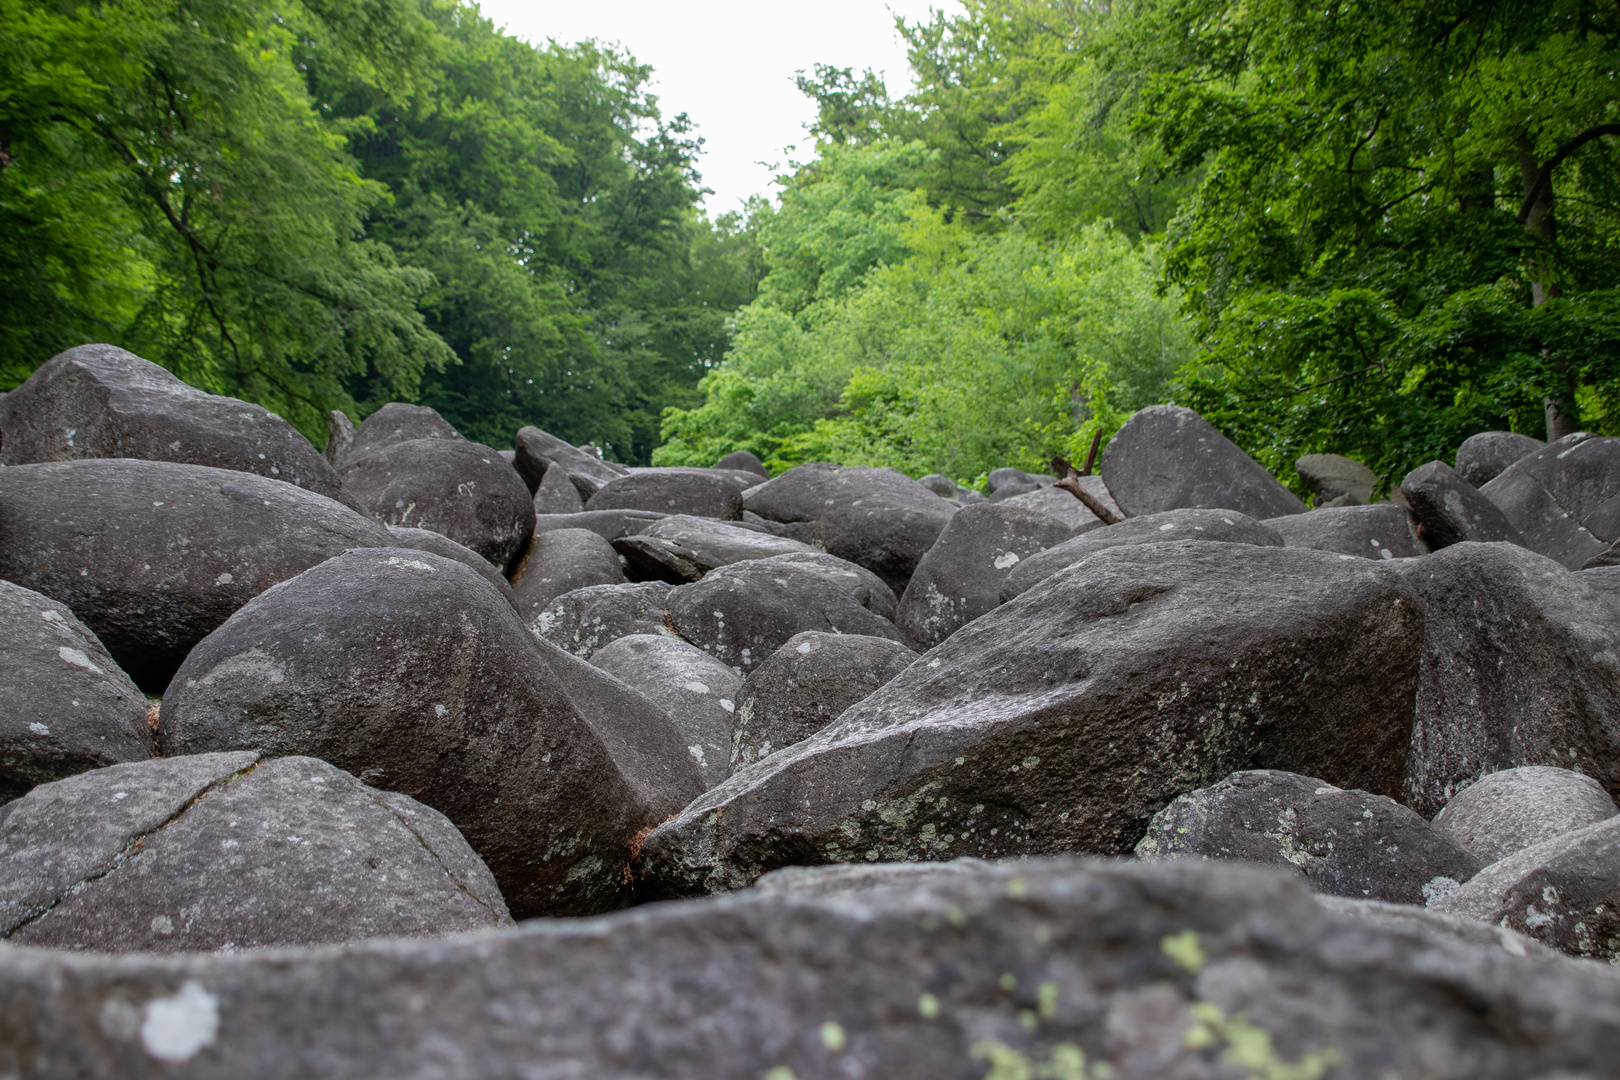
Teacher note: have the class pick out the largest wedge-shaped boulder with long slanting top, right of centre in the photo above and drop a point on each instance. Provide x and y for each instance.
(1065, 720)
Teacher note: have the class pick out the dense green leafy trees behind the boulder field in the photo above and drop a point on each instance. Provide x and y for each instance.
(1362, 227)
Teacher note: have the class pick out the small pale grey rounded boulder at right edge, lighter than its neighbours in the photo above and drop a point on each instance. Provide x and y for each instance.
(1506, 812)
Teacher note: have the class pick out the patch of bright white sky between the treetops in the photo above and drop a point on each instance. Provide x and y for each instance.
(731, 66)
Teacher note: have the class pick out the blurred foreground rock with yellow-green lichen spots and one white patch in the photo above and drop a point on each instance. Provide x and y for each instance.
(1157, 971)
